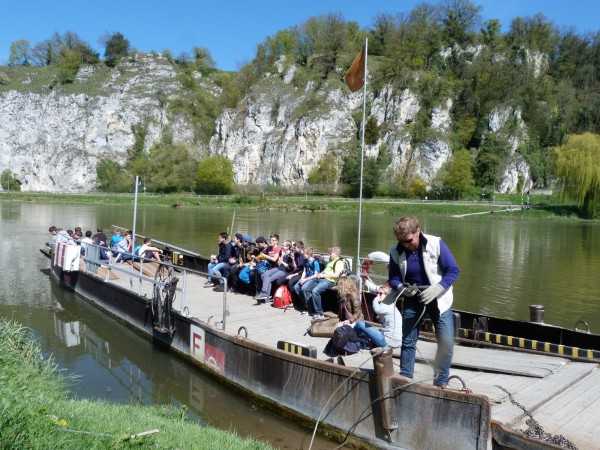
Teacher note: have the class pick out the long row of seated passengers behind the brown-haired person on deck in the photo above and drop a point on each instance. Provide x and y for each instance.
(261, 265)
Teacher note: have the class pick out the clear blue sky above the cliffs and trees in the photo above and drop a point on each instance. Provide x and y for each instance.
(231, 29)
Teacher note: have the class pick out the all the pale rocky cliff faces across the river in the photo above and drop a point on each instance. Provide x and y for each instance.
(52, 141)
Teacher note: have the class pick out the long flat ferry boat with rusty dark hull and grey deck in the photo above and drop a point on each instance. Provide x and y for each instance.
(503, 374)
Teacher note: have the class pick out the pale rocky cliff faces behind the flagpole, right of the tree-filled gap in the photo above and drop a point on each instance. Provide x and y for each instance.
(270, 142)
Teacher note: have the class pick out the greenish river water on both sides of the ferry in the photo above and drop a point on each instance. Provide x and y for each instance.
(506, 265)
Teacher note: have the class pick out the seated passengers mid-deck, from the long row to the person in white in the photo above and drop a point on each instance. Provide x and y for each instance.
(262, 265)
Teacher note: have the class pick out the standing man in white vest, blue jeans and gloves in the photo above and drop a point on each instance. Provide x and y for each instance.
(424, 260)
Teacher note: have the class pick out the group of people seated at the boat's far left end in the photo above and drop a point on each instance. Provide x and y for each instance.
(119, 243)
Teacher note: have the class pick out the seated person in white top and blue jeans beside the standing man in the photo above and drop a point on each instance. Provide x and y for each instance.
(390, 333)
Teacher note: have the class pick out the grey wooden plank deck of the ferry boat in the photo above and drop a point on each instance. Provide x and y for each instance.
(562, 395)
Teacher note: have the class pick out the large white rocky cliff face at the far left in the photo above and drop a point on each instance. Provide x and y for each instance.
(52, 141)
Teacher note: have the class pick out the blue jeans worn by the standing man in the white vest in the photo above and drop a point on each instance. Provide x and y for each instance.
(444, 333)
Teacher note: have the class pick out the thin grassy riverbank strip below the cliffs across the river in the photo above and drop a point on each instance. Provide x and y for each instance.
(546, 207)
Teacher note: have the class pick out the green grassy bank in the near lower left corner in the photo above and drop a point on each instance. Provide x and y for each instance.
(37, 413)
